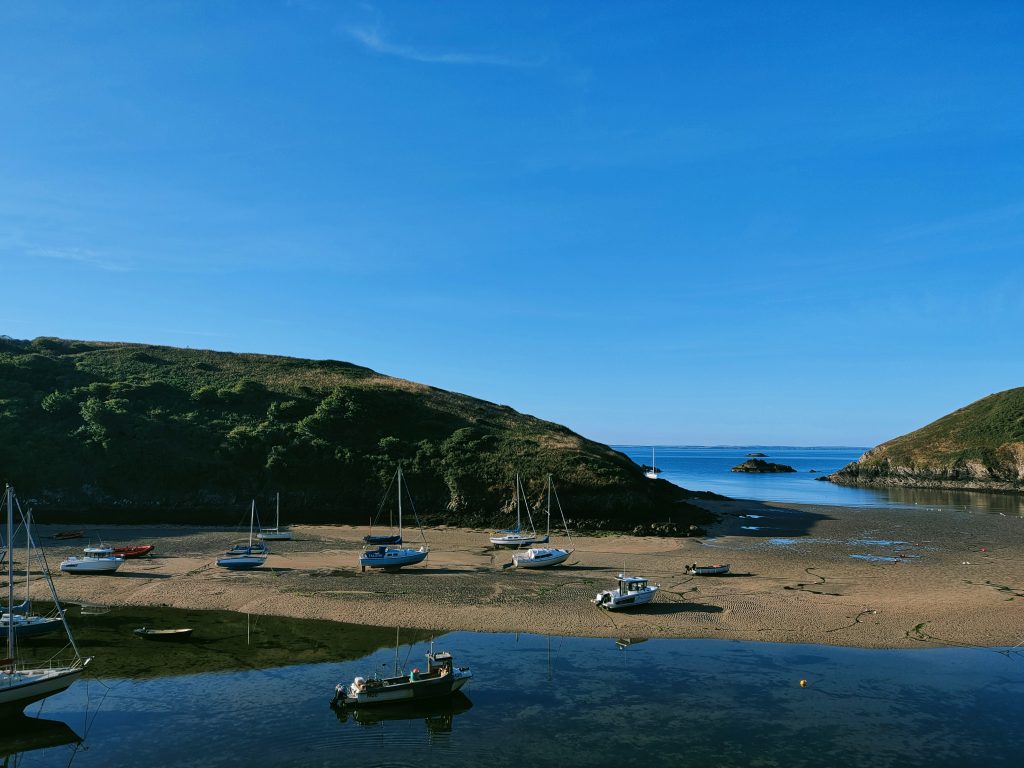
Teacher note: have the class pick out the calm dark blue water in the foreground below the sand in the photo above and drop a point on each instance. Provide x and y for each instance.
(244, 694)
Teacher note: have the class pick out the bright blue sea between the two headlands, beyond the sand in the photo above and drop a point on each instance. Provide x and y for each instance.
(700, 468)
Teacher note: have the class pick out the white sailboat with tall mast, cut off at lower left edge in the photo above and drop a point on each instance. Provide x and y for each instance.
(21, 682)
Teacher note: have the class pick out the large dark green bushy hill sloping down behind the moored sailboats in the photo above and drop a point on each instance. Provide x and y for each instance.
(133, 433)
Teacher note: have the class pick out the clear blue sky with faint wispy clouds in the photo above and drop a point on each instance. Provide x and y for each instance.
(660, 223)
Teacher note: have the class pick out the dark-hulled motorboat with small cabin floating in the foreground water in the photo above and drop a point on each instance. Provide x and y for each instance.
(443, 678)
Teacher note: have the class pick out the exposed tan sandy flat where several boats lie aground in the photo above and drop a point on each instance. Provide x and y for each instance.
(869, 578)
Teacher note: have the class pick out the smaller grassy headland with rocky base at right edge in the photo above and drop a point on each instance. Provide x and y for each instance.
(978, 447)
